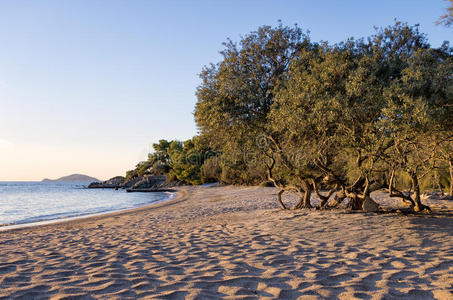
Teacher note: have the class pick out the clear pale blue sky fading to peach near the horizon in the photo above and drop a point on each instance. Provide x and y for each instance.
(88, 86)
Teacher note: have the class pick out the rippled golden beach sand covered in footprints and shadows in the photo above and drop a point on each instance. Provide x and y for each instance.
(234, 243)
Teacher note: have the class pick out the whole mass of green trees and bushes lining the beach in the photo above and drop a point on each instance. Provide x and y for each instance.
(351, 117)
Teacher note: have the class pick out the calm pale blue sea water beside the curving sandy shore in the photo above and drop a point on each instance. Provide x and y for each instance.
(27, 202)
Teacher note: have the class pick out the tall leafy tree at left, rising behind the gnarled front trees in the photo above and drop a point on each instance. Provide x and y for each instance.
(236, 95)
